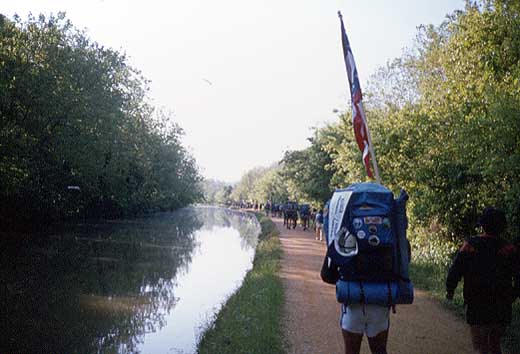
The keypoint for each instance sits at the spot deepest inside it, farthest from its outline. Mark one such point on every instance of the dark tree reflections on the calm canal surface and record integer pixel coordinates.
(102, 287)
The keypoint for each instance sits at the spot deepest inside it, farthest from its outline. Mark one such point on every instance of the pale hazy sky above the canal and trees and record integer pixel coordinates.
(247, 80)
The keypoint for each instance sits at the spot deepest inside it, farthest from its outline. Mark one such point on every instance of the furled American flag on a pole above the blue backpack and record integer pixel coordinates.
(358, 114)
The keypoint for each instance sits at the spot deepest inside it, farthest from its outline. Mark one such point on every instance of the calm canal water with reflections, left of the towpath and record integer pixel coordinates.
(140, 286)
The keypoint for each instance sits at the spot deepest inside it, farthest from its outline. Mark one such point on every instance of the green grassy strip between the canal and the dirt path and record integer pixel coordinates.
(250, 321)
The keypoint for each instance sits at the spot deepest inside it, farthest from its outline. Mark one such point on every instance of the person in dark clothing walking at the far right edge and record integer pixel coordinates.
(490, 266)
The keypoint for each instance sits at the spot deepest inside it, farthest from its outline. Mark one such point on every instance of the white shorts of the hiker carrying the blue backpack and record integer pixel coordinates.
(361, 318)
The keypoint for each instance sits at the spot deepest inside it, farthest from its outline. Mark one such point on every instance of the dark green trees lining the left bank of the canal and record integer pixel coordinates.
(74, 113)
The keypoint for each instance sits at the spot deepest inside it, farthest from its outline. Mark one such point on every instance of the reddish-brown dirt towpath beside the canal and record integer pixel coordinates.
(311, 313)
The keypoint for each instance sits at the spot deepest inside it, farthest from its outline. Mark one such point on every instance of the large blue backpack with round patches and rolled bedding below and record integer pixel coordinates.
(365, 228)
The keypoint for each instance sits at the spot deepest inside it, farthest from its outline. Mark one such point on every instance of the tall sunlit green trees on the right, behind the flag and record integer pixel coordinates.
(445, 120)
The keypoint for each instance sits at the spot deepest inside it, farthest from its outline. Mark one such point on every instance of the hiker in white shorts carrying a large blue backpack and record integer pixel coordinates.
(367, 259)
